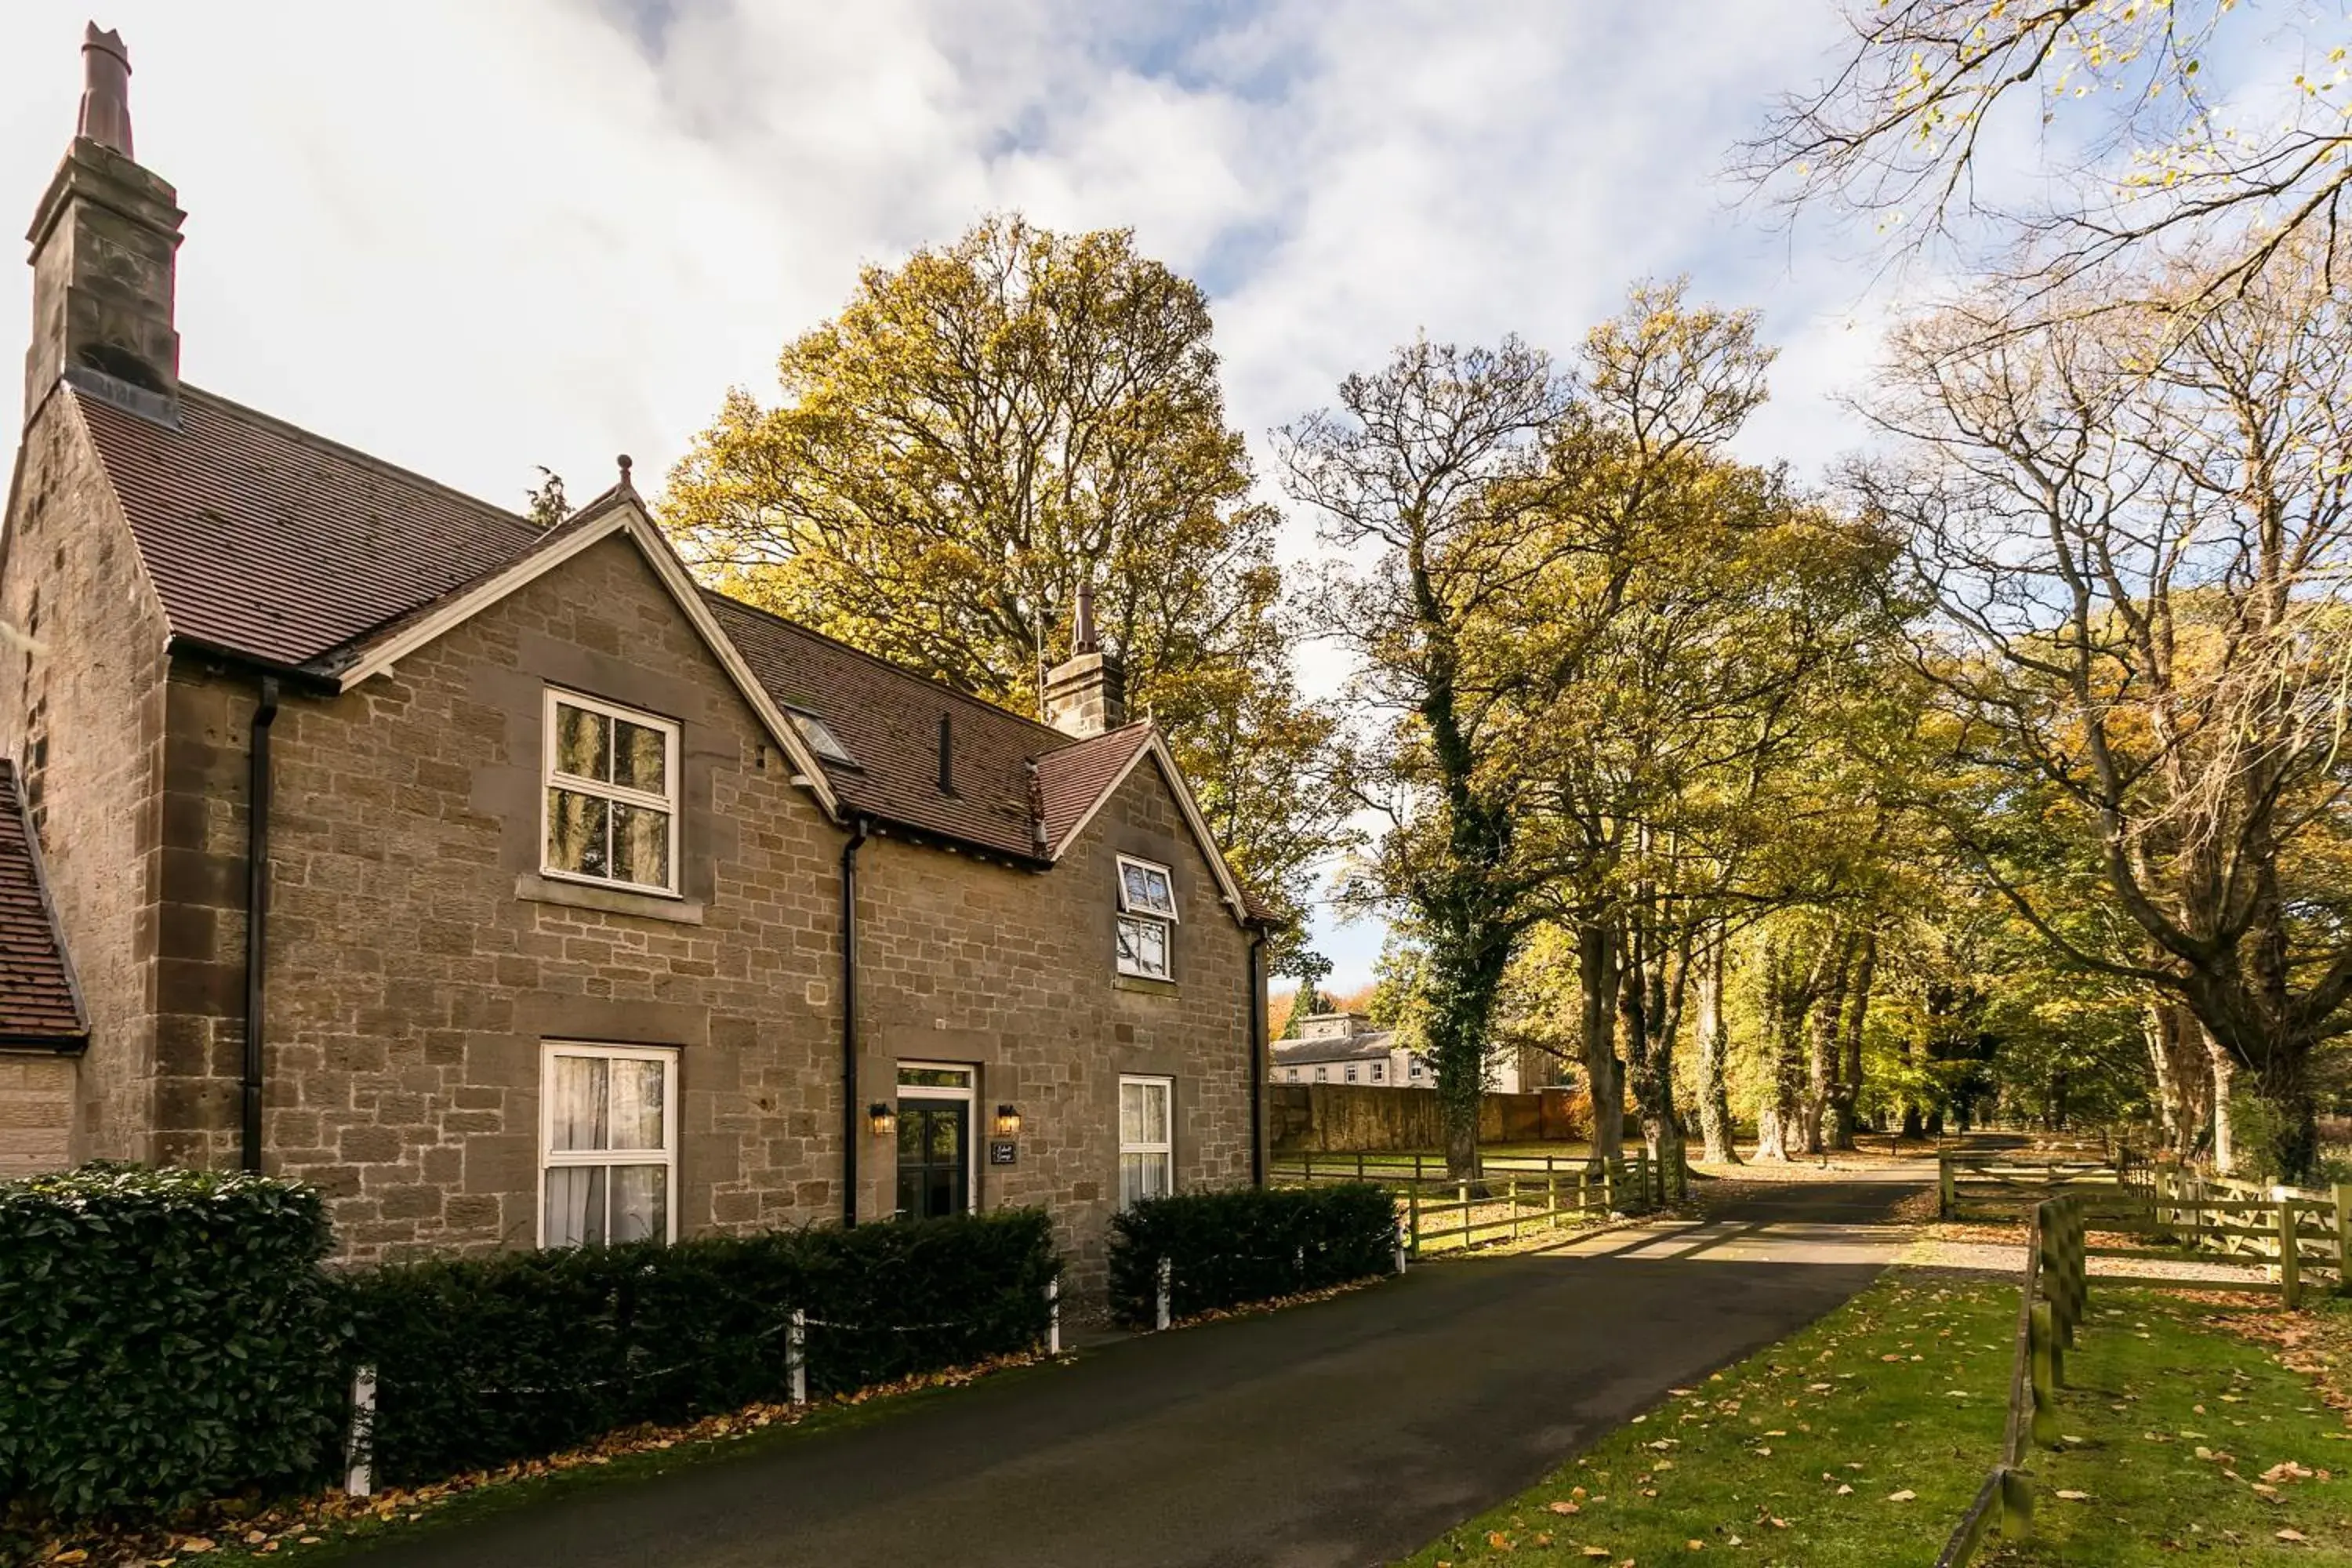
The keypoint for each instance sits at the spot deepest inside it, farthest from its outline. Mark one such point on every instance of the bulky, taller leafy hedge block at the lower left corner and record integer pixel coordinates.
(166, 1336)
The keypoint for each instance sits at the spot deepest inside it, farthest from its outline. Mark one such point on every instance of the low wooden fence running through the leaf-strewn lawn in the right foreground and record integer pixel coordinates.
(2050, 1311)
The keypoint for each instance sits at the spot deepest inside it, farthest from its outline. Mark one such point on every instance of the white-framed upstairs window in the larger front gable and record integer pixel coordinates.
(610, 796)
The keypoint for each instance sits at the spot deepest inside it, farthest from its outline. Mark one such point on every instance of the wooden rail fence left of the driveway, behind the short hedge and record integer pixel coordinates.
(1509, 1200)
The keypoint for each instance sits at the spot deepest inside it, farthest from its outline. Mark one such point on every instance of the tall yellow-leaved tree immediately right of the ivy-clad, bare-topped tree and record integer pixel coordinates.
(1678, 662)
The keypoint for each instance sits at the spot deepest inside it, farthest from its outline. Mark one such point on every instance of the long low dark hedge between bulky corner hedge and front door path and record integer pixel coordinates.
(519, 1355)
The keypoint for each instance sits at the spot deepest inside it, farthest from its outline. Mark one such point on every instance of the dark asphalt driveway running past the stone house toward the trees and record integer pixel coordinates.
(1321, 1438)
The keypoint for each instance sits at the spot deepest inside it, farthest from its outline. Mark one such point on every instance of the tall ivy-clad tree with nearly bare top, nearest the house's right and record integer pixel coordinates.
(1429, 483)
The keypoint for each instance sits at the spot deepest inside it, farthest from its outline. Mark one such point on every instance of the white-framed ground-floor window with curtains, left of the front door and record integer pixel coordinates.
(608, 1144)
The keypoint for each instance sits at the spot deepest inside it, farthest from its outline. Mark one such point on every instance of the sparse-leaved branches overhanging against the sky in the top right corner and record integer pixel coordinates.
(2165, 121)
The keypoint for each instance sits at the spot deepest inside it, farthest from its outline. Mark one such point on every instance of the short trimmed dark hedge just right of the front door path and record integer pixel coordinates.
(1250, 1245)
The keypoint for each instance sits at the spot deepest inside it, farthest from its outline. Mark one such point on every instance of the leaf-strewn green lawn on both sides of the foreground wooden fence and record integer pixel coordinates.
(1859, 1442)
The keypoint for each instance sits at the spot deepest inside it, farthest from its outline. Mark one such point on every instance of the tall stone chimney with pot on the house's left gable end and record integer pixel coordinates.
(105, 243)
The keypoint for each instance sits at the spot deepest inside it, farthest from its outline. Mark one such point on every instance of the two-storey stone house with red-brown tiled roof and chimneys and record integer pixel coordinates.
(514, 887)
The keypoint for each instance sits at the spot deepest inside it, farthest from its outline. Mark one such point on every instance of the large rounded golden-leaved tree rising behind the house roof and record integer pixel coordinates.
(977, 434)
